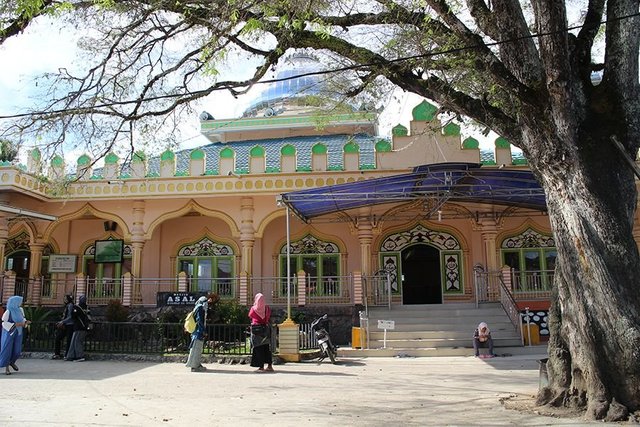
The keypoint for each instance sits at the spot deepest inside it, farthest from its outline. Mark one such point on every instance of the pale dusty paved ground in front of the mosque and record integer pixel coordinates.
(354, 392)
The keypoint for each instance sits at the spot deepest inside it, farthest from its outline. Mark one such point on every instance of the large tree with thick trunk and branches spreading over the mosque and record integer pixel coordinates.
(523, 69)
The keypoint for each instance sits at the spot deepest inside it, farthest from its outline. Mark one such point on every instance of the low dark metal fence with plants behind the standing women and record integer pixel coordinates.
(145, 338)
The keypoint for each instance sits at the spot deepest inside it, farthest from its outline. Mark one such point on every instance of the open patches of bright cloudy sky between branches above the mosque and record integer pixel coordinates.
(45, 47)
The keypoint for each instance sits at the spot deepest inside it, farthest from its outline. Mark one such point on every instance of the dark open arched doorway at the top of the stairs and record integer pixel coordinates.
(421, 281)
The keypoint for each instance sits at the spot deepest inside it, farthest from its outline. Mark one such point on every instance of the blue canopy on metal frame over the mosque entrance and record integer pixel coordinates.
(462, 182)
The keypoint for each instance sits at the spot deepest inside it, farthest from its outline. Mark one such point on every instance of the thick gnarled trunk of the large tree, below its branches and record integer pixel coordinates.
(594, 348)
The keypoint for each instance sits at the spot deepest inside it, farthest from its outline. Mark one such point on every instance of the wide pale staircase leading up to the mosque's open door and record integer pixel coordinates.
(439, 330)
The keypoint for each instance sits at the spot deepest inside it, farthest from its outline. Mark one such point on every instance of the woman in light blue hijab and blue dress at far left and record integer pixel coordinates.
(13, 322)
